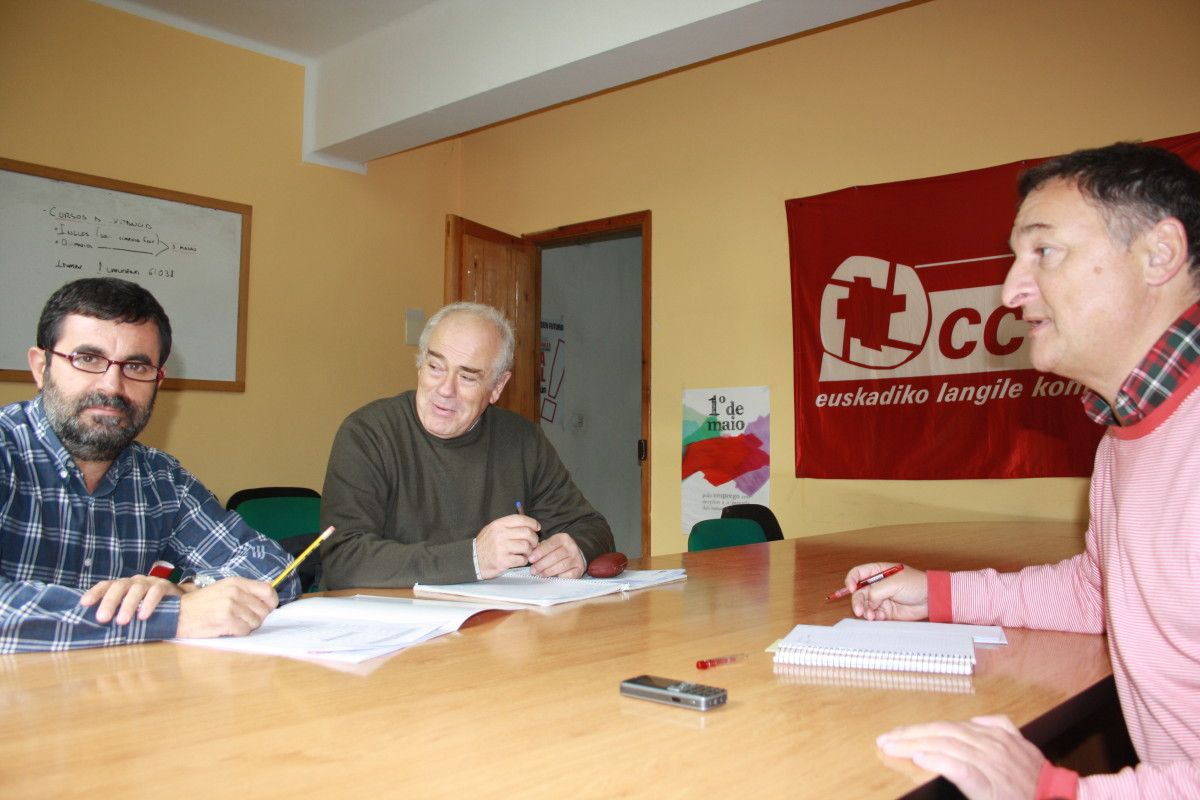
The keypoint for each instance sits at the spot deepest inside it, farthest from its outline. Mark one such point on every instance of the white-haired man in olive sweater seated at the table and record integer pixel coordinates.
(435, 486)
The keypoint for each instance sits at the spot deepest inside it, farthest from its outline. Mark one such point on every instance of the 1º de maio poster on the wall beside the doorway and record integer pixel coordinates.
(727, 450)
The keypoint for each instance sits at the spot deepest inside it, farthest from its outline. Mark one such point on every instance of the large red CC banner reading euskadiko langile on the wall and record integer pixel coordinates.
(908, 364)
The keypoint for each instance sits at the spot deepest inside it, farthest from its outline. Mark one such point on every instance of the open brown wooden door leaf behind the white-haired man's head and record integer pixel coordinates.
(502, 270)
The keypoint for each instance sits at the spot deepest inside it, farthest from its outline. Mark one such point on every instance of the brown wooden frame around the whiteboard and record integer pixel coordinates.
(239, 383)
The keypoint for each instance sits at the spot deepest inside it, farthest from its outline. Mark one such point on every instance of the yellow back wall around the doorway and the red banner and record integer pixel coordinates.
(715, 152)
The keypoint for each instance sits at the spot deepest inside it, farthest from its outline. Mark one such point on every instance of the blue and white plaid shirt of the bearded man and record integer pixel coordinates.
(57, 540)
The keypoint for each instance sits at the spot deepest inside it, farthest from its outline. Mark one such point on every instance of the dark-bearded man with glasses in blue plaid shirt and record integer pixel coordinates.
(86, 512)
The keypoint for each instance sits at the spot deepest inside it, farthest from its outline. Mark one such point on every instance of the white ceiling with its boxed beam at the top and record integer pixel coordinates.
(386, 76)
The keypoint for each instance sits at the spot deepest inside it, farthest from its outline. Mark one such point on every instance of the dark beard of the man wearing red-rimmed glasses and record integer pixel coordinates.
(104, 438)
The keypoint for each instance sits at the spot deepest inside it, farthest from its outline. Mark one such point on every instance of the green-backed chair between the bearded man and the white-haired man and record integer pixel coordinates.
(291, 515)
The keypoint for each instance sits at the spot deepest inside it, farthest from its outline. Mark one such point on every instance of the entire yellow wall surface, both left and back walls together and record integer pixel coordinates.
(713, 152)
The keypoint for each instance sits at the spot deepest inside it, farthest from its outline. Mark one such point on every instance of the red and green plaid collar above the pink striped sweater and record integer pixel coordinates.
(1154, 381)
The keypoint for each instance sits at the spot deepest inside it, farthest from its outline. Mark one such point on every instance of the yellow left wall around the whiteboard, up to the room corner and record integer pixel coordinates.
(335, 257)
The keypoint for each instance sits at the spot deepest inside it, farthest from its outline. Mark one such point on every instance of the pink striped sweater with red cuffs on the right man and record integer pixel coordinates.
(1139, 581)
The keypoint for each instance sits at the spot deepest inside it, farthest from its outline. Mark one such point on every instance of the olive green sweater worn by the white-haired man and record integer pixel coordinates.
(407, 504)
